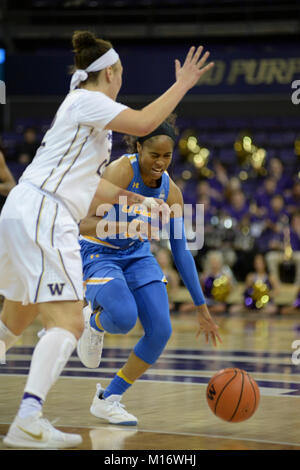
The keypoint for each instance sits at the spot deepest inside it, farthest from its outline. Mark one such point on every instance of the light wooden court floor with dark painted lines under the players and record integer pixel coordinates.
(169, 400)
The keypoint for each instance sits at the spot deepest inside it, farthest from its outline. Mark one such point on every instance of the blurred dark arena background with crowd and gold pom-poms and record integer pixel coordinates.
(238, 148)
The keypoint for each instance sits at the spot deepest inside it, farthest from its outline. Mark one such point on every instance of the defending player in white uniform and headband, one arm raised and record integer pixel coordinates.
(40, 263)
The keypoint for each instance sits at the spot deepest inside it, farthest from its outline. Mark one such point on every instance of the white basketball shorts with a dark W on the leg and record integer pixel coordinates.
(39, 251)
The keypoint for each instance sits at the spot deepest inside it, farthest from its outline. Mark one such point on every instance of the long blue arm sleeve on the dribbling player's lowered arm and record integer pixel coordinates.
(184, 260)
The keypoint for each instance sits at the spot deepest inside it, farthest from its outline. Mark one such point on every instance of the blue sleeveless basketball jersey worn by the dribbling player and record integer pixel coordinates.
(122, 213)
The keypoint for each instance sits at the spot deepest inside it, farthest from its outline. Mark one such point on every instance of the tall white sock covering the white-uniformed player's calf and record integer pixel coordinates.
(50, 356)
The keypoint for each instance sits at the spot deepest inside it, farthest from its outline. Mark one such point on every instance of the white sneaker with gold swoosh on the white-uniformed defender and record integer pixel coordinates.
(37, 433)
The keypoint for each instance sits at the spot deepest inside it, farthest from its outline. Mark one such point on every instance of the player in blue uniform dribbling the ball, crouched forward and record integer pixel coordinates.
(123, 279)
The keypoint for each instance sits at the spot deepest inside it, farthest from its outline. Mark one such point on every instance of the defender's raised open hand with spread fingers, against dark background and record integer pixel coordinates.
(193, 68)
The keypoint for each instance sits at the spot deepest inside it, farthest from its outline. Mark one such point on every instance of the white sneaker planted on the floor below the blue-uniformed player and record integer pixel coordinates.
(111, 409)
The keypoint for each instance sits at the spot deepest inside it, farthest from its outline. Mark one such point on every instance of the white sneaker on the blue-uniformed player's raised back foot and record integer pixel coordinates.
(90, 344)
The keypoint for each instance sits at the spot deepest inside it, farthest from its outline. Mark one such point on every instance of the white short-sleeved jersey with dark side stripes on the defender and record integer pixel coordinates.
(75, 150)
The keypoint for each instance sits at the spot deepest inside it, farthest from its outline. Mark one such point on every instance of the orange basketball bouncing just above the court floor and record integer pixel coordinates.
(232, 395)
